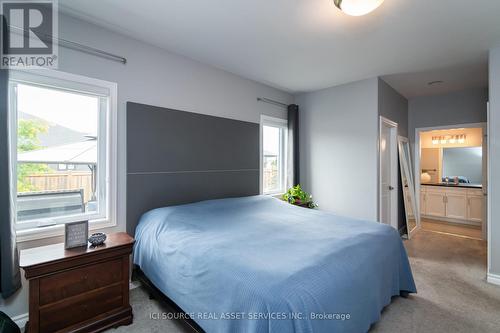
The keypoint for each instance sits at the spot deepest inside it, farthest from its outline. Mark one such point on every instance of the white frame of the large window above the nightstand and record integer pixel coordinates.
(108, 182)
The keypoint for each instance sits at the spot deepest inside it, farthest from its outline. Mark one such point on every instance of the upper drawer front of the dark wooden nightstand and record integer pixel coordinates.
(62, 285)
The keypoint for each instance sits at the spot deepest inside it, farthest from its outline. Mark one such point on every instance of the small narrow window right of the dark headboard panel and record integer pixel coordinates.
(273, 155)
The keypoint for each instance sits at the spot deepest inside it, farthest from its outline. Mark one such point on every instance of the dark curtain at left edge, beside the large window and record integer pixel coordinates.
(10, 277)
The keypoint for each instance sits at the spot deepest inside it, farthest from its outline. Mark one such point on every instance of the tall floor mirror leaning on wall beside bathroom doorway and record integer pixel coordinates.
(408, 185)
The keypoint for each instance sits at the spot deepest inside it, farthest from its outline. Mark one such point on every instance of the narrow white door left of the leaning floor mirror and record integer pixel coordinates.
(388, 173)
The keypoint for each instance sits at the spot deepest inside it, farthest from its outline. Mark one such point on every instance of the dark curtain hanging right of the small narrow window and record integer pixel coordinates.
(293, 177)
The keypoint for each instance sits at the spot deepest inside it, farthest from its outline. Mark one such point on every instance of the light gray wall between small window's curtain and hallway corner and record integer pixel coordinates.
(338, 146)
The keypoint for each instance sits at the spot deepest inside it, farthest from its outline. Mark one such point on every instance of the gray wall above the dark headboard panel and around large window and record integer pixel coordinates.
(156, 77)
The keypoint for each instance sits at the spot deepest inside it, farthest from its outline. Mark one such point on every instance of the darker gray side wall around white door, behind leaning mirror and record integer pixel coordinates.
(394, 106)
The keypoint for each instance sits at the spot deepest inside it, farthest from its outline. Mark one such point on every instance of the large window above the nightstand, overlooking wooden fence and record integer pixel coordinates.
(62, 129)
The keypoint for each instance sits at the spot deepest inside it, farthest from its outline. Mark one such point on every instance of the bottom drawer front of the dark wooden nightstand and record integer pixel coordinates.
(78, 309)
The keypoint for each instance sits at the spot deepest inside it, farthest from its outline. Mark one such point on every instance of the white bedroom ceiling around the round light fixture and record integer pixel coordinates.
(305, 45)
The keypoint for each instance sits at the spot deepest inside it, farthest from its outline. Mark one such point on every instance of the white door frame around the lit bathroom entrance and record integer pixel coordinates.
(416, 159)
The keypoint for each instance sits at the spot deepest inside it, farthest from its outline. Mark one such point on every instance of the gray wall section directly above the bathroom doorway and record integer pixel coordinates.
(462, 107)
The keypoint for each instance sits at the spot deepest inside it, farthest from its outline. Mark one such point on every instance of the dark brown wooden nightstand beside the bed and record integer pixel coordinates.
(79, 290)
